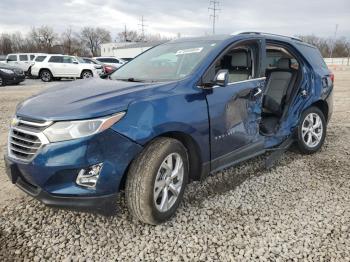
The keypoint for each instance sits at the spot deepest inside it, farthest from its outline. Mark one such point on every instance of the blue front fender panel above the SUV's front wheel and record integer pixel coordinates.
(185, 113)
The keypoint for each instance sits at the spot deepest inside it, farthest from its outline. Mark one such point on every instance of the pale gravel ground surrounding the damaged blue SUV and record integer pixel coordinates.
(298, 210)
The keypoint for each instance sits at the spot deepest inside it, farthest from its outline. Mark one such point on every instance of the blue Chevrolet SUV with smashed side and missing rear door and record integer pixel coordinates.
(176, 113)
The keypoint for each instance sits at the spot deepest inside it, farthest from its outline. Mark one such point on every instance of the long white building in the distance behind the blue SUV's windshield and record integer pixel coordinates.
(127, 49)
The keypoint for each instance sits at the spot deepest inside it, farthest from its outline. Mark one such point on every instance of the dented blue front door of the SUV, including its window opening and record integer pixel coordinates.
(235, 110)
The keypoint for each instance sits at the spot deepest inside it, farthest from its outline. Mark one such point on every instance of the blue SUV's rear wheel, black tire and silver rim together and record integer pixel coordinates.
(312, 130)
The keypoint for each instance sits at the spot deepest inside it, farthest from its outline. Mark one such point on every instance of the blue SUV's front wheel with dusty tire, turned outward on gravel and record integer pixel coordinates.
(149, 178)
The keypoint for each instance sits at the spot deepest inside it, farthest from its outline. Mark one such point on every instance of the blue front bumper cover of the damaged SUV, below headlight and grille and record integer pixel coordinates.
(50, 177)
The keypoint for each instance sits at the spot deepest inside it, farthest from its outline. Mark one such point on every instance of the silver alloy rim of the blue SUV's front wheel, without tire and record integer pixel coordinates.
(168, 182)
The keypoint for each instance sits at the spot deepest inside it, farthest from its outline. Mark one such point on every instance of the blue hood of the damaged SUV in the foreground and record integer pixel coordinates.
(83, 99)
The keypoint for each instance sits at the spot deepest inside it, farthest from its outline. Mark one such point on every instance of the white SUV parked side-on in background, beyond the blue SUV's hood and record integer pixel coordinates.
(50, 67)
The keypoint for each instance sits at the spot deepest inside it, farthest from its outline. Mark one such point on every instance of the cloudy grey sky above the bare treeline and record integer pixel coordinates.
(187, 17)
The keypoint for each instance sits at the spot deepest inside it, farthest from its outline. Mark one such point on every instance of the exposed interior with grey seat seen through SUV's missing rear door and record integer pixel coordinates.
(282, 75)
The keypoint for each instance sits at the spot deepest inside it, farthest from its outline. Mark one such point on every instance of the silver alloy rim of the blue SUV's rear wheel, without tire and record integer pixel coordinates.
(312, 130)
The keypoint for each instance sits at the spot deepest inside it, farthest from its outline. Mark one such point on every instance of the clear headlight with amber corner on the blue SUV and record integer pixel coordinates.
(67, 130)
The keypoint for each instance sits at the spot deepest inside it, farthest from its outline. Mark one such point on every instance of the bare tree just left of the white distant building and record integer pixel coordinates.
(94, 37)
